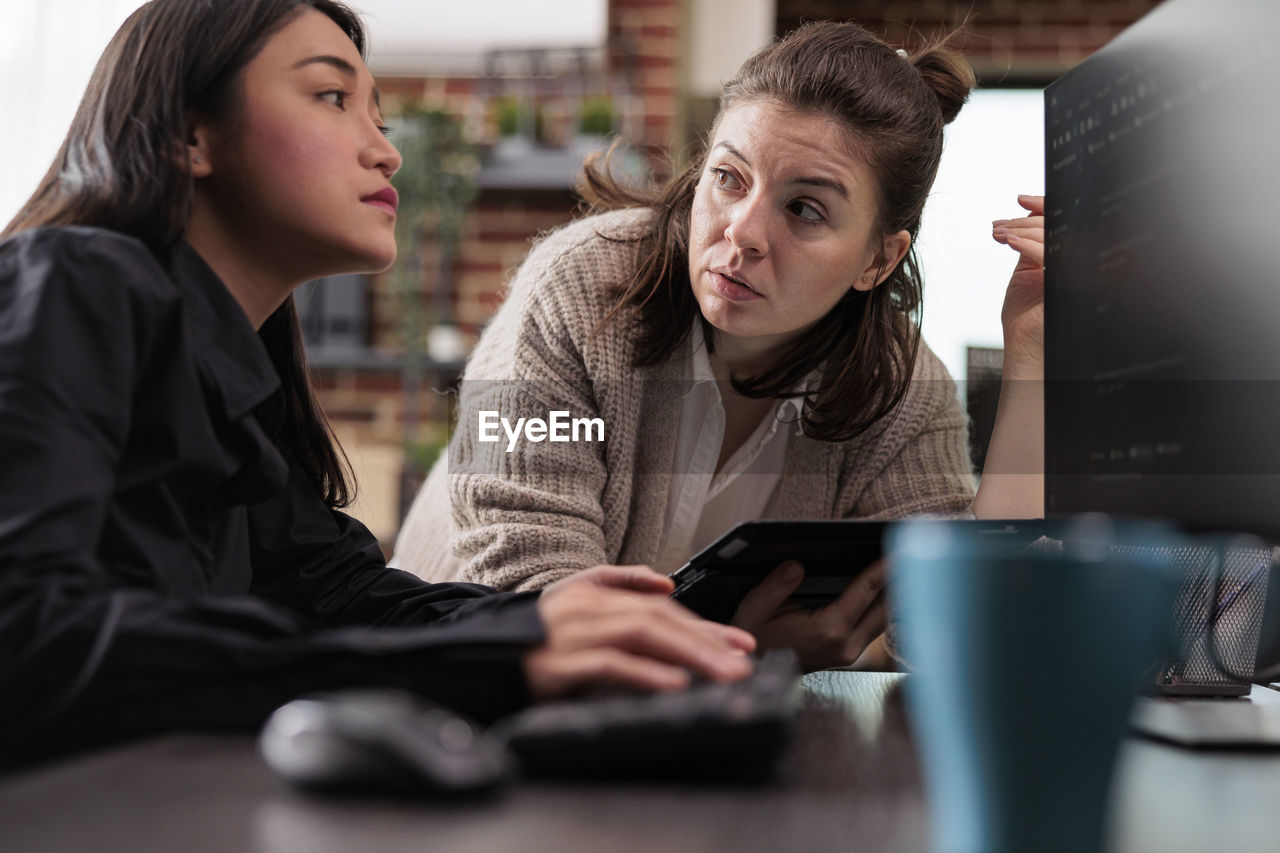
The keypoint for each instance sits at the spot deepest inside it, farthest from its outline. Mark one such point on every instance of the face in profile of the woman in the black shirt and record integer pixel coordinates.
(300, 179)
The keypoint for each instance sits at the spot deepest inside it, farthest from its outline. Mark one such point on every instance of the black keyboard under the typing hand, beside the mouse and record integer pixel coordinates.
(707, 732)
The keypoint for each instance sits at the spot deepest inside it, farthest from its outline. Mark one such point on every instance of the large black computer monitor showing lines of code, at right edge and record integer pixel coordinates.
(1163, 272)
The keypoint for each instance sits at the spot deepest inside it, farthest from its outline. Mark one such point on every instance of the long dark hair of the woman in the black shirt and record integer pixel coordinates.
(121, 166)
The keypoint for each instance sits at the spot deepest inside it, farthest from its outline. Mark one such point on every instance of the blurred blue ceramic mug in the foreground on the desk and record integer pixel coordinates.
(1026, 667)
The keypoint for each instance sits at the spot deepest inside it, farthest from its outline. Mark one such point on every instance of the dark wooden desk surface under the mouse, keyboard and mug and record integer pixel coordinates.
(851, 783)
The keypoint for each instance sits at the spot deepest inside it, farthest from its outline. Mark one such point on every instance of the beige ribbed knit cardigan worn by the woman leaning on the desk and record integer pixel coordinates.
(525, 519)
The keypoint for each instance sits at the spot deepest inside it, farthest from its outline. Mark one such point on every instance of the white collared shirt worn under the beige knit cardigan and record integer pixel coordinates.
(703, 503)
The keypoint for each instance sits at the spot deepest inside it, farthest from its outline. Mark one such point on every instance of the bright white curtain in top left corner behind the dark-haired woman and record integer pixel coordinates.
(48, 52)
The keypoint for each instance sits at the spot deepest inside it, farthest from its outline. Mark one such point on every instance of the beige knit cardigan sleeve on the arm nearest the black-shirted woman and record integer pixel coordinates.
(528, 513)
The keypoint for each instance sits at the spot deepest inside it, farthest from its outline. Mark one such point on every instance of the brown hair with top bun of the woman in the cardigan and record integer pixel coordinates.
(894, 110)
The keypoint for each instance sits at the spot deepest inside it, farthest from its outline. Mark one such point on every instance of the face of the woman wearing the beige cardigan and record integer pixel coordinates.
(783, 225)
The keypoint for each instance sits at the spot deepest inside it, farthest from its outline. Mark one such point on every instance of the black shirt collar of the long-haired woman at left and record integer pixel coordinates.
(230, 353)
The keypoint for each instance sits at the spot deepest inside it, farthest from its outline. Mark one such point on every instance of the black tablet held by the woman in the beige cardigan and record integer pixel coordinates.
(834, 553)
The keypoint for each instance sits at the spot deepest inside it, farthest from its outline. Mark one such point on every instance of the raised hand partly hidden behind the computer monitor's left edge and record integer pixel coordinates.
(1023, 316)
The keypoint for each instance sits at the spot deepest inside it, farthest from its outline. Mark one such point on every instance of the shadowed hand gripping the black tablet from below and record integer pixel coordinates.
(831, 636)
